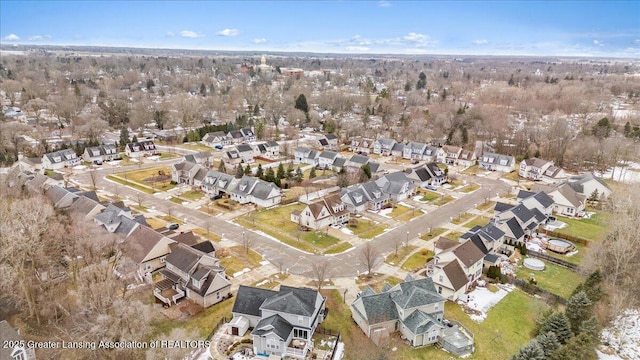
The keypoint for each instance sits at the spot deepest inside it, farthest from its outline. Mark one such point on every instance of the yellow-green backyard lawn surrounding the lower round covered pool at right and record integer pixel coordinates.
(556, 279)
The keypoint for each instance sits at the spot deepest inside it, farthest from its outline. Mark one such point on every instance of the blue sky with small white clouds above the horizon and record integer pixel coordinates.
(582, 28)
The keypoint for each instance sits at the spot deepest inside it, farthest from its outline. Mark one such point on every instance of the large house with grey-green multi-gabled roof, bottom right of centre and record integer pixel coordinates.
(412, 307)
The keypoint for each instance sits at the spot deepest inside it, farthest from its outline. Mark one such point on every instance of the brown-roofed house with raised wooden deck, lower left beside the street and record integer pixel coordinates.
(192, 273)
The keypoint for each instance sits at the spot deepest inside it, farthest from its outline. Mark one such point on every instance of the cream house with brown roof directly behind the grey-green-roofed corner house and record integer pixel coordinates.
(456, 269)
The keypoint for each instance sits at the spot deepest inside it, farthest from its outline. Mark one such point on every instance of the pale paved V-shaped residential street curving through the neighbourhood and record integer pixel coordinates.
(283, 256)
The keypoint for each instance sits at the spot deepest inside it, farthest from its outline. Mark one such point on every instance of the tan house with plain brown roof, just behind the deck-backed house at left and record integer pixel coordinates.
(147, 249)
